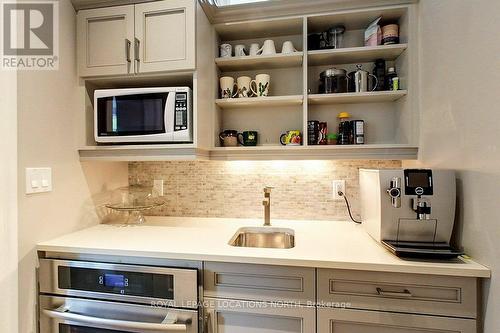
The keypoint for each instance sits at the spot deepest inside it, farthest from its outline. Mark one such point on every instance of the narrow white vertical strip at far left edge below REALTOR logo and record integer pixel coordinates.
(8, 203)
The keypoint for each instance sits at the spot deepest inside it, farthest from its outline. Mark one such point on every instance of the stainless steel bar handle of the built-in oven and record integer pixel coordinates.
(63, 313)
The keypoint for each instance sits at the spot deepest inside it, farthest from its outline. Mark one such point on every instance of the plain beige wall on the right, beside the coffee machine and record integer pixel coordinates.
(460, 124)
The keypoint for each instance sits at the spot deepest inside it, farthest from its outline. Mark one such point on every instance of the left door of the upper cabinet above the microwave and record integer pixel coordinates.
(105, 37)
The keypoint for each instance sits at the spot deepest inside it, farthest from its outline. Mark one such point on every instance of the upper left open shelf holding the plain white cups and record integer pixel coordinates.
(260, 62)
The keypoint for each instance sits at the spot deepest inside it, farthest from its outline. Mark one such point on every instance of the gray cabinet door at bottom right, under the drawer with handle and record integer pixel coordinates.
(349, 321)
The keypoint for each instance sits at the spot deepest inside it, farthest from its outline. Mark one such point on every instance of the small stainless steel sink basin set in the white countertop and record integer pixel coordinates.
(266, 237)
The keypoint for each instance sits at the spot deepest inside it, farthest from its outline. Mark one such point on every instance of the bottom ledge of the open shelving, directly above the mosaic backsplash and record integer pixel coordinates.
(368, 151)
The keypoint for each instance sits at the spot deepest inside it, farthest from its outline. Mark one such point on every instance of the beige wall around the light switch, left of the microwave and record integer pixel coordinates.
(49, 103)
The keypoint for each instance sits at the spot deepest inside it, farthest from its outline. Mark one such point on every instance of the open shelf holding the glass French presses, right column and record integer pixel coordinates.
(352, 98)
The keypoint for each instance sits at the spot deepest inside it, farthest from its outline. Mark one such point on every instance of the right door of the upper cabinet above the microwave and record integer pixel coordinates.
(165, 36)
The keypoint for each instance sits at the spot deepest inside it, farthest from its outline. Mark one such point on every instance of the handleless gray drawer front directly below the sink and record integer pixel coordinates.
(259, 282)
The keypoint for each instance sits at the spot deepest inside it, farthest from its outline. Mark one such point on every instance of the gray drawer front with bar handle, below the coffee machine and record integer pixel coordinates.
(411, 293)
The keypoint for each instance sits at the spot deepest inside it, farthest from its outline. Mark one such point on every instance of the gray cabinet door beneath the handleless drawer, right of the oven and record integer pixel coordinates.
(232, 316)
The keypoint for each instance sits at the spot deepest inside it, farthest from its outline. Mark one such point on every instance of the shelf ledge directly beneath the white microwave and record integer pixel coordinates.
(155, 152)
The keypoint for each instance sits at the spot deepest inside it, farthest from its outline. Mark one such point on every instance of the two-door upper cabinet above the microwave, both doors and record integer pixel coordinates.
(144, 38)
